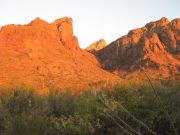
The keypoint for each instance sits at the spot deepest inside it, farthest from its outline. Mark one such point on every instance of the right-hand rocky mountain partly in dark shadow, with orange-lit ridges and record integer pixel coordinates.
(154, 48)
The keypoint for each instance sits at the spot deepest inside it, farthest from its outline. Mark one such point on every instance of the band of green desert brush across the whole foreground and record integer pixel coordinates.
(120, 112)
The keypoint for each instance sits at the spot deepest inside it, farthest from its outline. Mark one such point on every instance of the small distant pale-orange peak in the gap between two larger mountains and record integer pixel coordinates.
(96, 46)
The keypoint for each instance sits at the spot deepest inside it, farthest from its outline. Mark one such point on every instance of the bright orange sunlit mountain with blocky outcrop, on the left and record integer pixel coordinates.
(41, 55)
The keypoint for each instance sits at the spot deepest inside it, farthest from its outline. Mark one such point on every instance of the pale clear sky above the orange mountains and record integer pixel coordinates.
(92, 19)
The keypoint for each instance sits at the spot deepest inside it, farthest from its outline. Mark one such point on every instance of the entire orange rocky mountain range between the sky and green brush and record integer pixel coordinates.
(44, 56)
